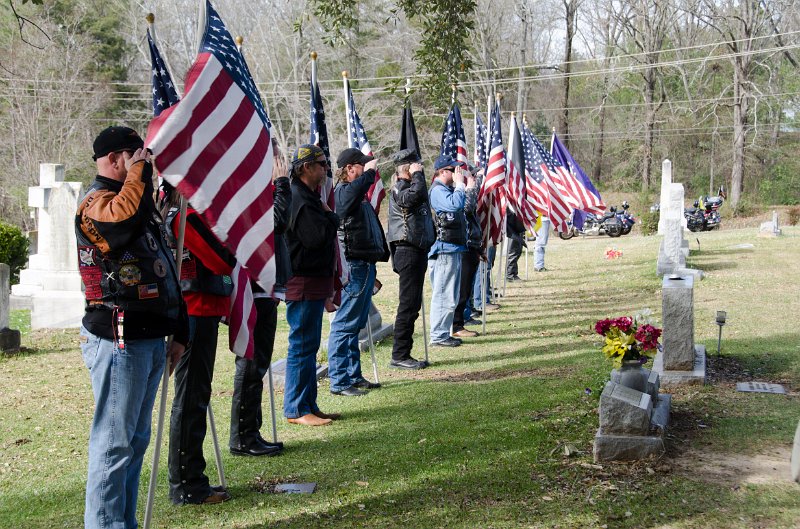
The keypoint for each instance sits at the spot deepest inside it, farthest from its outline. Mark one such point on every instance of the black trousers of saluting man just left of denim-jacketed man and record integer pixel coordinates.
(410, 263)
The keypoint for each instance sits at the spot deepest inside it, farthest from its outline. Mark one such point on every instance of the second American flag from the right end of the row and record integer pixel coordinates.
(543, 194)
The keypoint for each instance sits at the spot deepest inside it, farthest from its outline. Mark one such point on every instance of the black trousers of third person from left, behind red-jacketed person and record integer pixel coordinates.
(248, 381)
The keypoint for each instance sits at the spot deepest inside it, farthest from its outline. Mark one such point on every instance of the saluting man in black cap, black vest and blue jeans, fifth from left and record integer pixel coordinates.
(361, 235)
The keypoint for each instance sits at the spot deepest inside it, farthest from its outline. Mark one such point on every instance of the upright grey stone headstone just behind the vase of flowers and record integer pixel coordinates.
(678, 320)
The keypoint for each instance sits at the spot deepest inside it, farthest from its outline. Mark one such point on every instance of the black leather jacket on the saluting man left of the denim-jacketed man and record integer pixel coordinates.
(410, 213)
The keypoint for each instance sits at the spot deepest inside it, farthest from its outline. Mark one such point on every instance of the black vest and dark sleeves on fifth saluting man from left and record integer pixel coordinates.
(360, 232)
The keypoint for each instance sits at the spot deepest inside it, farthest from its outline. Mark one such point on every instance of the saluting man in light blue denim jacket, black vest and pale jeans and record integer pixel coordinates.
(444, 258)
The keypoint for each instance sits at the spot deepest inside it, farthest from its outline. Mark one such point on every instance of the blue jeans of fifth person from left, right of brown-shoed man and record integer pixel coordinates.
(344, 354)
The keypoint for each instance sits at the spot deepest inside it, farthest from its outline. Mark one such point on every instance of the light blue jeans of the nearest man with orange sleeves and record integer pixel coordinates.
(124, 383)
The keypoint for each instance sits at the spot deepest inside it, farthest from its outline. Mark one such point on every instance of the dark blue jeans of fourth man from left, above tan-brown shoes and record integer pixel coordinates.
(305, 330)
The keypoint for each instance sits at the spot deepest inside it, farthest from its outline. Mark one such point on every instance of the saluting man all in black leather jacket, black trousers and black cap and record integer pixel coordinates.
(410, 236)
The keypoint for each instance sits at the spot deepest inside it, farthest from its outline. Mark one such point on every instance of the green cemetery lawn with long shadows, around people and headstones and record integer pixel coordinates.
(477, 439)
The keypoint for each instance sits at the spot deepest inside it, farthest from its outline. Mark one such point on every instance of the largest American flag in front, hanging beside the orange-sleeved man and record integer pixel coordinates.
(214, 147)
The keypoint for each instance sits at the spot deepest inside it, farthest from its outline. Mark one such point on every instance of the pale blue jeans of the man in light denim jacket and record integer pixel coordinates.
(445, 272)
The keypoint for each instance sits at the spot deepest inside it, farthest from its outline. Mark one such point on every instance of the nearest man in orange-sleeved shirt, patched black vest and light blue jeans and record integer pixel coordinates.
(133, 302)
